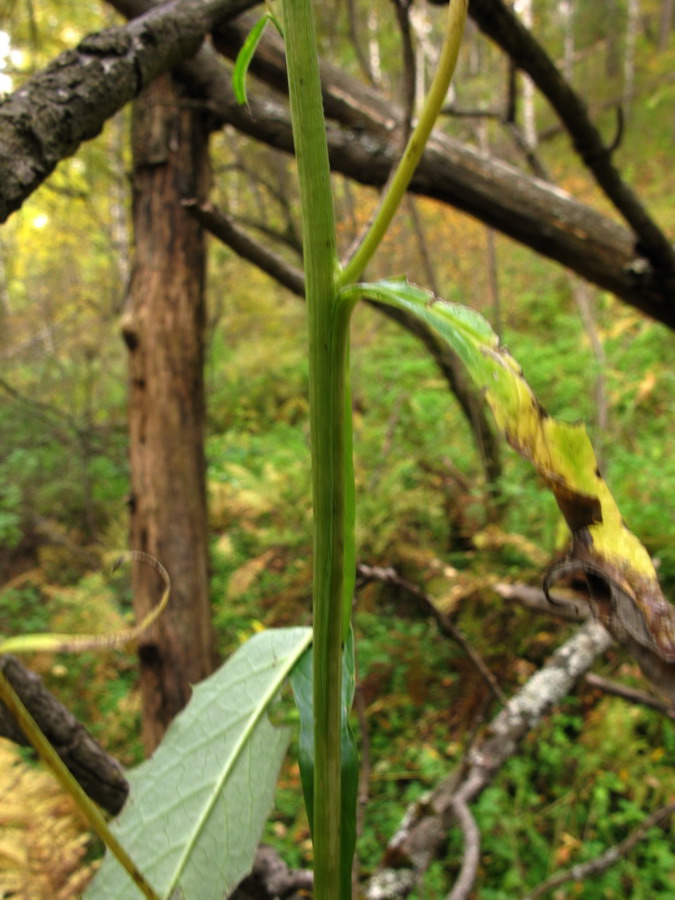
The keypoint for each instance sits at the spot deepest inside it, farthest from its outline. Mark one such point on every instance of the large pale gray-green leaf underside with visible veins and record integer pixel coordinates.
(197, 807)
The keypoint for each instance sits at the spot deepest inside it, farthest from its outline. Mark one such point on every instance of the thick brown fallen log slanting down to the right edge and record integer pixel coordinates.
(536, 214)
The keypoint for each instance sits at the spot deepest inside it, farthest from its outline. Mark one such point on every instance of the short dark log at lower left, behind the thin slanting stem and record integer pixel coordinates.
(99, 775)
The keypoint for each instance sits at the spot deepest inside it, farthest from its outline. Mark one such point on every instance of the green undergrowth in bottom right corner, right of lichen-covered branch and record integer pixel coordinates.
(581, 783)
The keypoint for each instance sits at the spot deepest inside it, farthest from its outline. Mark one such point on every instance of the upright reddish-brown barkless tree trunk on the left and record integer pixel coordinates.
(164, 331)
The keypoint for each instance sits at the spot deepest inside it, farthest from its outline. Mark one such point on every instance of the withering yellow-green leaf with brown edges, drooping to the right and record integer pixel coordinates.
(620, 581)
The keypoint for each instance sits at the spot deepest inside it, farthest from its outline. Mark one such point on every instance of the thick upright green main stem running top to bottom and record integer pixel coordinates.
(330, 422)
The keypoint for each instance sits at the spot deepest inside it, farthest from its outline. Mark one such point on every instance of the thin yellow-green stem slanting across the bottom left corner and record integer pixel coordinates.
(86, 806)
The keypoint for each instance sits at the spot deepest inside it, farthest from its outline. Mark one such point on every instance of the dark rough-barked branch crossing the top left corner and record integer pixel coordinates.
(49, 116)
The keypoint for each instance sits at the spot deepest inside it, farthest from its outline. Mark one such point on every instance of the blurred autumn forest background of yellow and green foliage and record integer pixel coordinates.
(599, 764)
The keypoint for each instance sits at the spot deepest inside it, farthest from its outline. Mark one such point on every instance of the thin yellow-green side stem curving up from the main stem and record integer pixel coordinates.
(415, 146)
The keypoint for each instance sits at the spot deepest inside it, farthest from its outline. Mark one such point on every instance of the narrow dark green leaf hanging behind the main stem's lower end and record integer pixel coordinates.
(301, 682)
